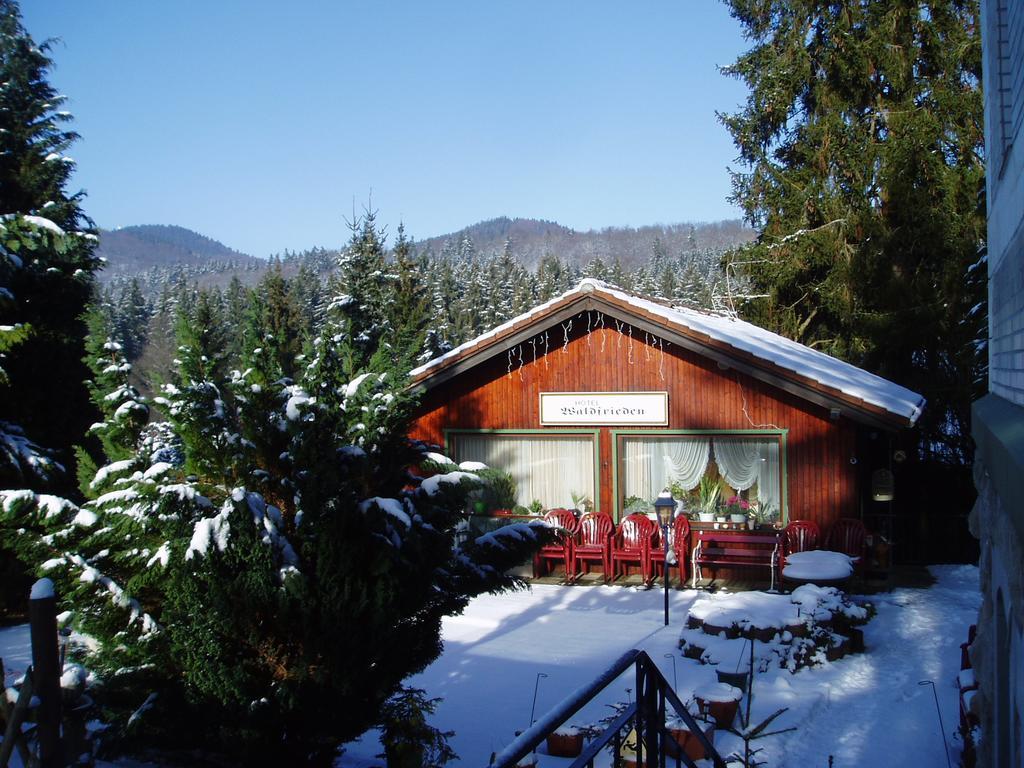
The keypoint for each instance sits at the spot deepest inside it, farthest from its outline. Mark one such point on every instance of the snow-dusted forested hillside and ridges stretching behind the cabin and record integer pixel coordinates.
(459, 286)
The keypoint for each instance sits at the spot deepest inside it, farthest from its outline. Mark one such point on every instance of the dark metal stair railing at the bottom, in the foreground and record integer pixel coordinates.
(656, 701)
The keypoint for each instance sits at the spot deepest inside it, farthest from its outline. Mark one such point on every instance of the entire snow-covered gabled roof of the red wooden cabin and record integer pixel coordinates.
(721, 331)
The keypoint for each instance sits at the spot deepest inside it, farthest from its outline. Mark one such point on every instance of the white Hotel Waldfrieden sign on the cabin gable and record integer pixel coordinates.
(635, 409)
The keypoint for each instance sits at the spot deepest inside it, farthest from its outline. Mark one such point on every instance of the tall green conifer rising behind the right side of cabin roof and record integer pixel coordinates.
(863, 142)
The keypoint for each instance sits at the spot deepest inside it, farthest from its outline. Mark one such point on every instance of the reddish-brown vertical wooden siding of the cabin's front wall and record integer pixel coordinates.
(821, 477)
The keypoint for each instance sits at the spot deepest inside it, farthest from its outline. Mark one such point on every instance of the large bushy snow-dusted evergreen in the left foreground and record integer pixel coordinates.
(223, 571)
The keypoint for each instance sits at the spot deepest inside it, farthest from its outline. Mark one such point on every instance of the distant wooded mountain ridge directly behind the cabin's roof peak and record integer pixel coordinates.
(533, 239)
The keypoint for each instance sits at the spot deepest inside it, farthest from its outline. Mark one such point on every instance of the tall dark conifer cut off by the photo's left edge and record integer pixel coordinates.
(46, 269)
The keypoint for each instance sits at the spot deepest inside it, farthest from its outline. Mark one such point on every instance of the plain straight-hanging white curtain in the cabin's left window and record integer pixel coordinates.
(549, 470)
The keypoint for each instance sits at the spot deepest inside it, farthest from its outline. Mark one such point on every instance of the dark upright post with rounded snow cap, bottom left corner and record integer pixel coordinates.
(44, 626)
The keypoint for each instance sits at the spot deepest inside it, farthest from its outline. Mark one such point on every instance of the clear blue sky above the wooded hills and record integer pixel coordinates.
(263, 124)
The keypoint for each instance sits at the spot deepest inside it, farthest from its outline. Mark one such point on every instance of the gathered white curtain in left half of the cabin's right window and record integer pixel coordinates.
(653, 465)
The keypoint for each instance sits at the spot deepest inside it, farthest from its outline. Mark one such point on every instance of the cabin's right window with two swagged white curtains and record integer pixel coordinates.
(746, 465)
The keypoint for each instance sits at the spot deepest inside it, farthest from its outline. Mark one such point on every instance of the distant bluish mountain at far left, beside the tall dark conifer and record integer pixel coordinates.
(136, 249)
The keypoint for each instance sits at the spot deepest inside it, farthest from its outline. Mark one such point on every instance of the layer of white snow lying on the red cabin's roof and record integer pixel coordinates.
(741, 335)
